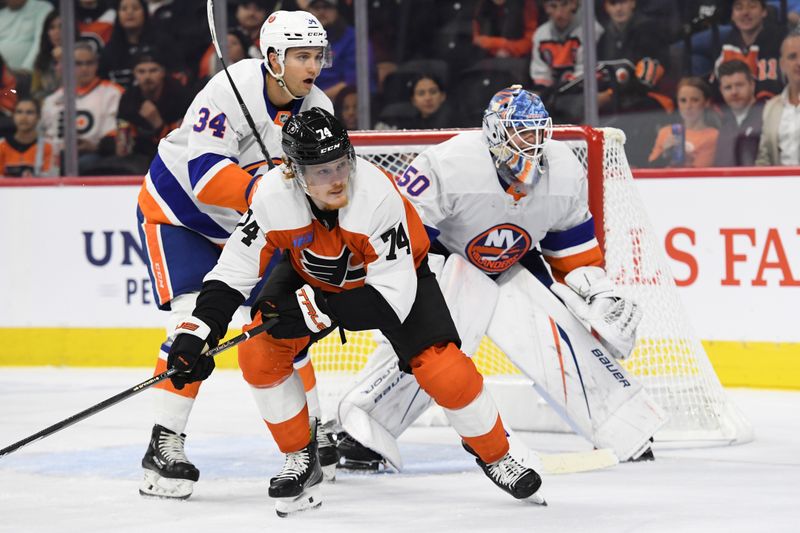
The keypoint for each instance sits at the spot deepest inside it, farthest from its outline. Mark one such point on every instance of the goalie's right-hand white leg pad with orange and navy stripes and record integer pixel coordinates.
(598, 398)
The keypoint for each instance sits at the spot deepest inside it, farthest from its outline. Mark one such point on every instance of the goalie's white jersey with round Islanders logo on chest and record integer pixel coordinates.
(462, 201)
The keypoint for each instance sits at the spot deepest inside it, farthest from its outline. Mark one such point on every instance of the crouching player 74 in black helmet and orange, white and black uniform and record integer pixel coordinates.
(357, 259)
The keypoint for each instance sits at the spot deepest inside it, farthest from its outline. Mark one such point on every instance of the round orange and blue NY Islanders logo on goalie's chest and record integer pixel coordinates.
(499, 247)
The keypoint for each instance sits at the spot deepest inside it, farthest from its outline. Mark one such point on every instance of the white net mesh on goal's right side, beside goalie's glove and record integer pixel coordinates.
(669, 357)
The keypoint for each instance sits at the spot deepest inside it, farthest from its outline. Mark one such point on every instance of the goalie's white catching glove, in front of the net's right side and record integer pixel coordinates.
(591, 296)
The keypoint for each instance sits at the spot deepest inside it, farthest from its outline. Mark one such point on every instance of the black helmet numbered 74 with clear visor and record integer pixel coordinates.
(313, 138)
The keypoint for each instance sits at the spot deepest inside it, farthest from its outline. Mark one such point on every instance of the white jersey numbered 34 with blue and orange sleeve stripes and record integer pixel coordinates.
(196, 179)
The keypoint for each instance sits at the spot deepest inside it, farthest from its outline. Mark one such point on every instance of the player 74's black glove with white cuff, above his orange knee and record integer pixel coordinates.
(300, 313)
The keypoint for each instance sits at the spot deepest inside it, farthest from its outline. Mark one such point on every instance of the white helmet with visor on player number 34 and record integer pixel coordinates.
(291, 29)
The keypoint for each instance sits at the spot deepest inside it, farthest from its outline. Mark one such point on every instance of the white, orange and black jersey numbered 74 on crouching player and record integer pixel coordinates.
(379, 239)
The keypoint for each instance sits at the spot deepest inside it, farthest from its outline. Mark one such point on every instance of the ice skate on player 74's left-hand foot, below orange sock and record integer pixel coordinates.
(297, 486)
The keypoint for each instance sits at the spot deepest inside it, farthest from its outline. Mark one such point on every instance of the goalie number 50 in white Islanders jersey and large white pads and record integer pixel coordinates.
(488, 199)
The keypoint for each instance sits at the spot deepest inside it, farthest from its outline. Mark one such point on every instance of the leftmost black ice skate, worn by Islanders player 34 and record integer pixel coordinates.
(168, 473)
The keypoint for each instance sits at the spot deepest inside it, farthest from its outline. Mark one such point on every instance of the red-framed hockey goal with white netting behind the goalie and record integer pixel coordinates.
(669, 358)
